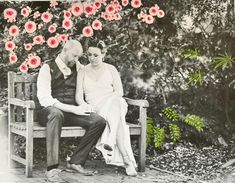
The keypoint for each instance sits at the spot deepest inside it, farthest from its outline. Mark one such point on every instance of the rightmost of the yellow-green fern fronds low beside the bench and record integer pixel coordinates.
(195, 121)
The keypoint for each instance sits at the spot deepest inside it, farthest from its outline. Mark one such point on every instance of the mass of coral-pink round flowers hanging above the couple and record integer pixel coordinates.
(43, 29)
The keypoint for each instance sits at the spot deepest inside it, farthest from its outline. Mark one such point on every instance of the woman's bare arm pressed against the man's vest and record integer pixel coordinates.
(79, 97)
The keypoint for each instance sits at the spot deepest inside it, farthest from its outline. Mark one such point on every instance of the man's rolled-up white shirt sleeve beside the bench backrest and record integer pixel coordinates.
(44, 87)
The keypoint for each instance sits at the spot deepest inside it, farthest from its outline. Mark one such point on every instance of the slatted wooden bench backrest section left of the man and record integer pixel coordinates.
(23, 86)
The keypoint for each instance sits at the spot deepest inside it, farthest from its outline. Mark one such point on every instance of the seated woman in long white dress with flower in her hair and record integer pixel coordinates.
(101, 84)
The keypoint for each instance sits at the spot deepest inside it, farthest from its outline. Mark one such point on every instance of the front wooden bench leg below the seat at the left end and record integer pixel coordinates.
(29, 157)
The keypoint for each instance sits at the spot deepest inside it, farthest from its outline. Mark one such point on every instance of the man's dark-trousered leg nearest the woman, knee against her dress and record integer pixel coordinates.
(94, 125)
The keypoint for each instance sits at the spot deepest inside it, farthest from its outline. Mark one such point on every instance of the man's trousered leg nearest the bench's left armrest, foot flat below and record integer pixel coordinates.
(52, 118)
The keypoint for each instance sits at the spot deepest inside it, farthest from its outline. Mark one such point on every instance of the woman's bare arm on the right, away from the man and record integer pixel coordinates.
(117, 83)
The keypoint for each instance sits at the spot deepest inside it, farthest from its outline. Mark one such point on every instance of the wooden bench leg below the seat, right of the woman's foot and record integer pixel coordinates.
(142, 154)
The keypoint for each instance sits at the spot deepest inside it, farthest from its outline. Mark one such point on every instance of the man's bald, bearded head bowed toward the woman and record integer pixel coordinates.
(72, 50)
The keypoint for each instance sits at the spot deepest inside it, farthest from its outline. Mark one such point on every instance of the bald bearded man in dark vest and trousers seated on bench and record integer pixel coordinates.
(56, 87)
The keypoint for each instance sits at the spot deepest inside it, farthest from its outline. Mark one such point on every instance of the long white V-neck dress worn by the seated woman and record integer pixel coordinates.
(100, 95)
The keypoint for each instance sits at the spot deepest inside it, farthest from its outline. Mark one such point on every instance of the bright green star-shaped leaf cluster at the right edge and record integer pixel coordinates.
(223, 61)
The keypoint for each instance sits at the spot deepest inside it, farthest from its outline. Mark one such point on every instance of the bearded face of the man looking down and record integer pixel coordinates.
(72, 56)
